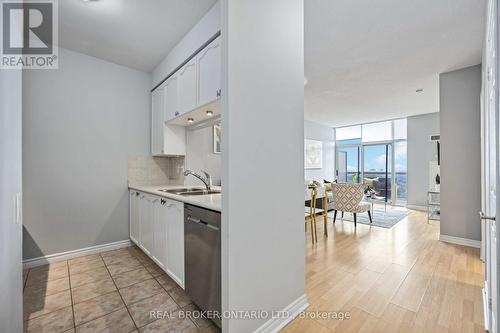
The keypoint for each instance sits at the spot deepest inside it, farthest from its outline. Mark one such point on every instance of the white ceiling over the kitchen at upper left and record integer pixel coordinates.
(133, 33)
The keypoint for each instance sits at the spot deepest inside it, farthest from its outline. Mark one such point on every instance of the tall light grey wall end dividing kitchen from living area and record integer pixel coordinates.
(262, 157)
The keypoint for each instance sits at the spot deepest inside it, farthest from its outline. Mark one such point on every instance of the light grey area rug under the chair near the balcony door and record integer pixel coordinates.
(381, 217)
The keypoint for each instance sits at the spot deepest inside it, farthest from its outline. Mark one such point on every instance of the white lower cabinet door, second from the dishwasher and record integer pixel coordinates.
(159, 254)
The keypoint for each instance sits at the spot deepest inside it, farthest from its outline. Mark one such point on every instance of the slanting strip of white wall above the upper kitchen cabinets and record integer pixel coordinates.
(207, 27)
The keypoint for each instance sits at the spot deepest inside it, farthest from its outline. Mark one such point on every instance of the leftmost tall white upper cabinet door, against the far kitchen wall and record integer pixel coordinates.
(157, 121)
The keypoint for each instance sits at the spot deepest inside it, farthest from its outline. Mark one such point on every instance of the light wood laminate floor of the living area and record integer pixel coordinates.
(391, 280)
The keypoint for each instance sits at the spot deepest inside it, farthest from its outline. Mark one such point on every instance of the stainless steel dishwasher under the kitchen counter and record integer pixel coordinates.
(202, 256)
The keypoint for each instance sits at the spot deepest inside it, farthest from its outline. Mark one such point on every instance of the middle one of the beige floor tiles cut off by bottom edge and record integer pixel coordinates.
(115, 322)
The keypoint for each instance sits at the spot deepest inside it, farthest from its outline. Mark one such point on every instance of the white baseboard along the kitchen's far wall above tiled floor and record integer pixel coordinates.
(29, 263)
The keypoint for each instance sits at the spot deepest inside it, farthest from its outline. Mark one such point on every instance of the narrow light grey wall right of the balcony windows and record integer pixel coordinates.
(420, 152)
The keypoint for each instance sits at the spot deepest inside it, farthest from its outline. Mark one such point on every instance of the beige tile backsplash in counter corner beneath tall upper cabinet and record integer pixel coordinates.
(148, 170)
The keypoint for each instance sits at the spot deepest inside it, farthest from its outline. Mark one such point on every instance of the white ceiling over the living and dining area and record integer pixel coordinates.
(364, 59)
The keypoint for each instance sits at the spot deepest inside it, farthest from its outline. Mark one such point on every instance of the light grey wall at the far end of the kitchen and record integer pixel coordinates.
(81, 123)
